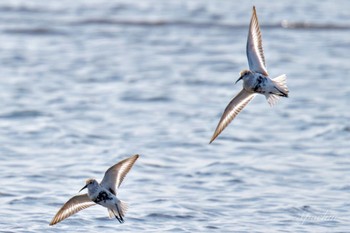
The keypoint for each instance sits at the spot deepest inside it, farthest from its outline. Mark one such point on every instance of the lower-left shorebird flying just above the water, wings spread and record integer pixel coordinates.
(104, 193)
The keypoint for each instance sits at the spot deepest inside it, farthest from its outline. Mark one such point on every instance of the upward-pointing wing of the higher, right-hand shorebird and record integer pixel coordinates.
(255, 53)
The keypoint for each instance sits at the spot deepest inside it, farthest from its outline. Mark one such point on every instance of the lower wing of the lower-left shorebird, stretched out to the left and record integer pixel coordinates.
(71, 207)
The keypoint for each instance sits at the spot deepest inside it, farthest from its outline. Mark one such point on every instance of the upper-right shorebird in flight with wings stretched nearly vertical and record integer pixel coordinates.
(255, 80)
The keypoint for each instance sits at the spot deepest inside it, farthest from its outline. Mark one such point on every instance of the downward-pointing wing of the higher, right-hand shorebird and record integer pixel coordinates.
(232, 110)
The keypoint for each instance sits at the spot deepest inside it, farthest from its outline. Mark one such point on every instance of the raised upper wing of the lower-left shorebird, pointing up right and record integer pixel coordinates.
(114, 176)
